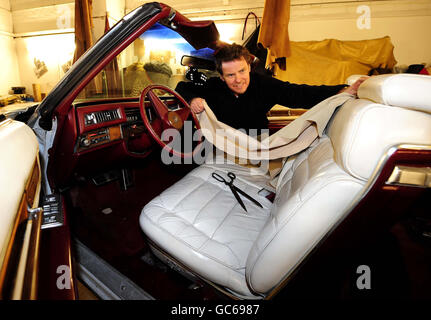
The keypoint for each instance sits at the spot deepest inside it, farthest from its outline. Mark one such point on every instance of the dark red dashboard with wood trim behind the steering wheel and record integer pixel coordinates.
(100, 135)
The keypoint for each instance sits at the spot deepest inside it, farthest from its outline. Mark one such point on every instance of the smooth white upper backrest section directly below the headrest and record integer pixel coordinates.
(362, 131)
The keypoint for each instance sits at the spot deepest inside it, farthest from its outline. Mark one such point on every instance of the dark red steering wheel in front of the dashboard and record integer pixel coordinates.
(169, 118)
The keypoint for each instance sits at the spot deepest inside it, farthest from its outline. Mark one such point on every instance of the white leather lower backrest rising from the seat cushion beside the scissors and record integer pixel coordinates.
(312, 196)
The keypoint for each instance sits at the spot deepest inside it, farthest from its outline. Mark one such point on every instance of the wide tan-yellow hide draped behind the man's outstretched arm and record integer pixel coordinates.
(331, 61)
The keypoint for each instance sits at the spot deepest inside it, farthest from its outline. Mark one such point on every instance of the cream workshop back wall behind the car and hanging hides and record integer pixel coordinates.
(407, 22)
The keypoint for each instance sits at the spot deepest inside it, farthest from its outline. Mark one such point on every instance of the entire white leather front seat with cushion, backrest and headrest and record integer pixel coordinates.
(199, 223)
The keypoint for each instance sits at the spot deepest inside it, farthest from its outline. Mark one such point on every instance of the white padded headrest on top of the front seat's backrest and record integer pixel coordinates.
(405, 90)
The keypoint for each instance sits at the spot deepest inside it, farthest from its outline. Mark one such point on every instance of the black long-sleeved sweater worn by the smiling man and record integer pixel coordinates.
(248, 110)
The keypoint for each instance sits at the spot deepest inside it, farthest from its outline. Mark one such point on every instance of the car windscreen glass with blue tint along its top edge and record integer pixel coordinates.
(153, 58)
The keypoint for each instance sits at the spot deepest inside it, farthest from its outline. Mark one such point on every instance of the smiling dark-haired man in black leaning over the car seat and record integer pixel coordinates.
(242, 99)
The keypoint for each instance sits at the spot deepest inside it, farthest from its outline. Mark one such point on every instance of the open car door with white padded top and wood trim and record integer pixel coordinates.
(19, 194)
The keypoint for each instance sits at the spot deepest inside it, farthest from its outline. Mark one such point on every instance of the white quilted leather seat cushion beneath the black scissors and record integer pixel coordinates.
(199, 222)
